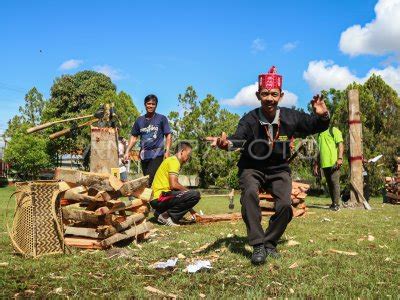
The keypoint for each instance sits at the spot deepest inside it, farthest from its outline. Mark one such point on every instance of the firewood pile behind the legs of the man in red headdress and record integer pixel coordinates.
(267, 201)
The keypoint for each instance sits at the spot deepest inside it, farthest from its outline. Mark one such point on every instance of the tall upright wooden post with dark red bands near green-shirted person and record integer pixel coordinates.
(356, 151)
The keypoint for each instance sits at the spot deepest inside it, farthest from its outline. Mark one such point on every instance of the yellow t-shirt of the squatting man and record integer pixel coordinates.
(171, 165)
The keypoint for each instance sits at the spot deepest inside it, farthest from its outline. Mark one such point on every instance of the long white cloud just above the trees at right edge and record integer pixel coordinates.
(323, 75)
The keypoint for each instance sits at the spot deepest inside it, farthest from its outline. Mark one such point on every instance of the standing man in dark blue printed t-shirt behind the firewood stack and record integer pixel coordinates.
(151, 128)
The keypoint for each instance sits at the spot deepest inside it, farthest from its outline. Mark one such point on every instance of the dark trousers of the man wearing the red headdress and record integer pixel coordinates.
(251, 181)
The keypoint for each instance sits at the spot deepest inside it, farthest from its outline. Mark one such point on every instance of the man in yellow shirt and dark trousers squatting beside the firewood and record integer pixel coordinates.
(171, 199)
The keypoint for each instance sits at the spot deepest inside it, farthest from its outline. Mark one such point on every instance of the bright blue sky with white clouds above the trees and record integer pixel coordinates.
(219, 47)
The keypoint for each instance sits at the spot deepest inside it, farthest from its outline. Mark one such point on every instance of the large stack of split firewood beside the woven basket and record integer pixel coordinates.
(96, 213)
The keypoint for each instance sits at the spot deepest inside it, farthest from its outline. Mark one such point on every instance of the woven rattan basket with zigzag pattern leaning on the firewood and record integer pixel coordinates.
(37, 223)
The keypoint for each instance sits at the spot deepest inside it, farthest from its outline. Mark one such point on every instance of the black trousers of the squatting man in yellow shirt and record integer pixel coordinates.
(178, 205)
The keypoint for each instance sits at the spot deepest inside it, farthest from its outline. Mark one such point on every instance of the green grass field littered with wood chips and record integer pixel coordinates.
(308, 269)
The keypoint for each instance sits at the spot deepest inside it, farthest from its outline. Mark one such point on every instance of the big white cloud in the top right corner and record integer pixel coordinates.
(380, 36)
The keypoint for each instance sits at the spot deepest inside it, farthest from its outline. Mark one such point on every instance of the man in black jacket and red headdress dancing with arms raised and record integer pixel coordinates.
(264, 135)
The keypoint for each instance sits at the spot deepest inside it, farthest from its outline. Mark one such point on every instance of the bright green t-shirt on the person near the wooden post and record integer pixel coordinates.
(327, 144)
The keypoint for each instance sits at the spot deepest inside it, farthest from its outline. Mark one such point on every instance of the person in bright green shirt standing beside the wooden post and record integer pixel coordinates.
(330, 146)
